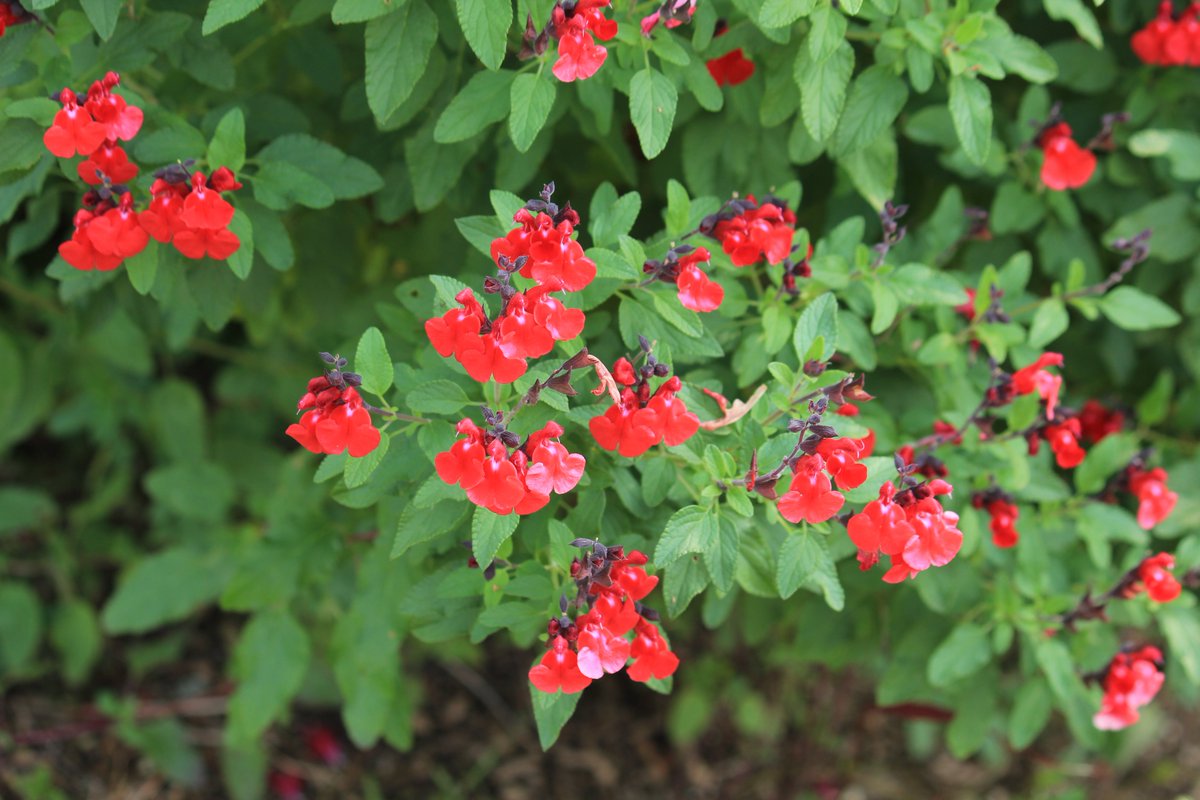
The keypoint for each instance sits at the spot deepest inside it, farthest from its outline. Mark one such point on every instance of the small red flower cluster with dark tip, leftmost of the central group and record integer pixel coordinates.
(335, 418)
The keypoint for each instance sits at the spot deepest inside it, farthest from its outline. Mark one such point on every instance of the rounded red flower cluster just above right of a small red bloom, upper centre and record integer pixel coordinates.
(751, 233)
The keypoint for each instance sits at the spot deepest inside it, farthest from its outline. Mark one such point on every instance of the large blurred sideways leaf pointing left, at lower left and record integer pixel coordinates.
(164, 588)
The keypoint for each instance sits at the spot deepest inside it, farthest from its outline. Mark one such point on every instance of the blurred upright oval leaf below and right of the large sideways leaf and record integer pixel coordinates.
(269, 665)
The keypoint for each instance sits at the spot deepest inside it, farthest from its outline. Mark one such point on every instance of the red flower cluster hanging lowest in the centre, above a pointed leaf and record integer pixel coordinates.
(611, 585)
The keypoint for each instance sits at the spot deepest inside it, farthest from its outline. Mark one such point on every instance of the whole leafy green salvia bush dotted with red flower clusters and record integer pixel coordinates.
(877, 314)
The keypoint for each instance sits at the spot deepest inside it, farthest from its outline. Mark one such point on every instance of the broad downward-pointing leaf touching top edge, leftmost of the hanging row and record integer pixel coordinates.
(398, 51)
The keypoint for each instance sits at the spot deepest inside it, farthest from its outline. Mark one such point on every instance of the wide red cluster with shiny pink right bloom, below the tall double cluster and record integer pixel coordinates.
(505, 483)
